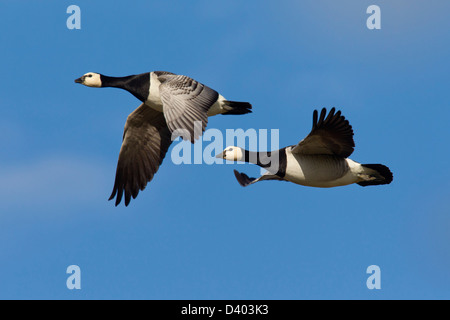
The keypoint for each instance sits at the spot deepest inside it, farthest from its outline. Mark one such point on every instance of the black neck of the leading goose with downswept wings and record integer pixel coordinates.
(137, 85)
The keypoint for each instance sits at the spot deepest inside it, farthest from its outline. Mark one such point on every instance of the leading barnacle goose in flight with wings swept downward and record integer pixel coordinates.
(171, 105)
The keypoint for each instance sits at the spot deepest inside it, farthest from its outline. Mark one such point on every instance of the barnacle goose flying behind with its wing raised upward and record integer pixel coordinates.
(320, 160)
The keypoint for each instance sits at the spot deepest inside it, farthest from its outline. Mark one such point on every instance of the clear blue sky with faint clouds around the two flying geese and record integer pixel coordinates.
(194, 233)
